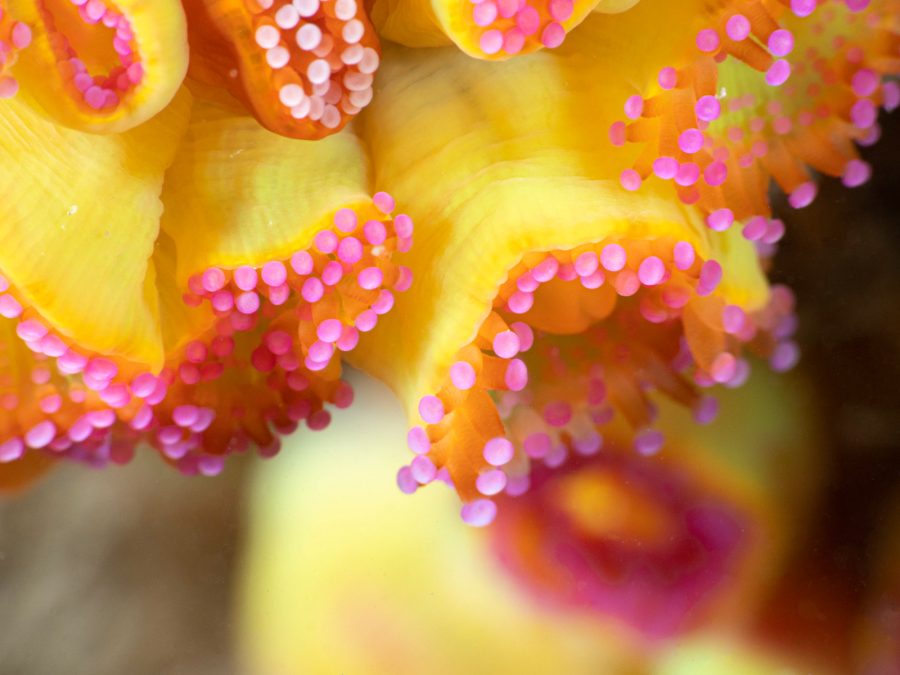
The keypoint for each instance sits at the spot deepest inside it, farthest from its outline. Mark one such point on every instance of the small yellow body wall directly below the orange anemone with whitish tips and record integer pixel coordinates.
(239, 194)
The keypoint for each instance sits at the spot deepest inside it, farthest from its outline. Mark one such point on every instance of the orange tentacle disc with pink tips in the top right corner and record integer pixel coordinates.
(810, 81)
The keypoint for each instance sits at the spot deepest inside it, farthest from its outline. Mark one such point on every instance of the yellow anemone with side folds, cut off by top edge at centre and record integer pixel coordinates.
(487, 29)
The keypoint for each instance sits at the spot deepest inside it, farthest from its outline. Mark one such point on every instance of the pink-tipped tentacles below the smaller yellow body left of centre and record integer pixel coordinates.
(279, 329)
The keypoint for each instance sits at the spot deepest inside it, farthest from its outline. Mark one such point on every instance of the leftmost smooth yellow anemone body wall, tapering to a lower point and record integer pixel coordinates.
(79, 221)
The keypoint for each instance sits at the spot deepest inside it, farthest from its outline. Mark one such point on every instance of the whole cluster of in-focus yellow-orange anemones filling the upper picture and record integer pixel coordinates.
(568, 280)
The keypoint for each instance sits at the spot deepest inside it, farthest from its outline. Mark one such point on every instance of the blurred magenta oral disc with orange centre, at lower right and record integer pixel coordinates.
(638, 541)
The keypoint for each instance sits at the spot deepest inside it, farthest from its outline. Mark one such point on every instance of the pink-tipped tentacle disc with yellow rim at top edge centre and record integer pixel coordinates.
(499, 29)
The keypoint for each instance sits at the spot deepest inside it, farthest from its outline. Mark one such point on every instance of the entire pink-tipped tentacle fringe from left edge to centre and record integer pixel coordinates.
(266, 359)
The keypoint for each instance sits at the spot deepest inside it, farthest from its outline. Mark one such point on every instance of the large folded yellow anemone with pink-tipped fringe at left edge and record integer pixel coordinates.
(192, 283)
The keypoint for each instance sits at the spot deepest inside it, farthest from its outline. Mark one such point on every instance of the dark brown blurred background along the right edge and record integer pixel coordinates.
(841, 255)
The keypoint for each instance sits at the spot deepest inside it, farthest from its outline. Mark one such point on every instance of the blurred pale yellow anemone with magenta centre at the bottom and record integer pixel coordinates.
(359, 605)
